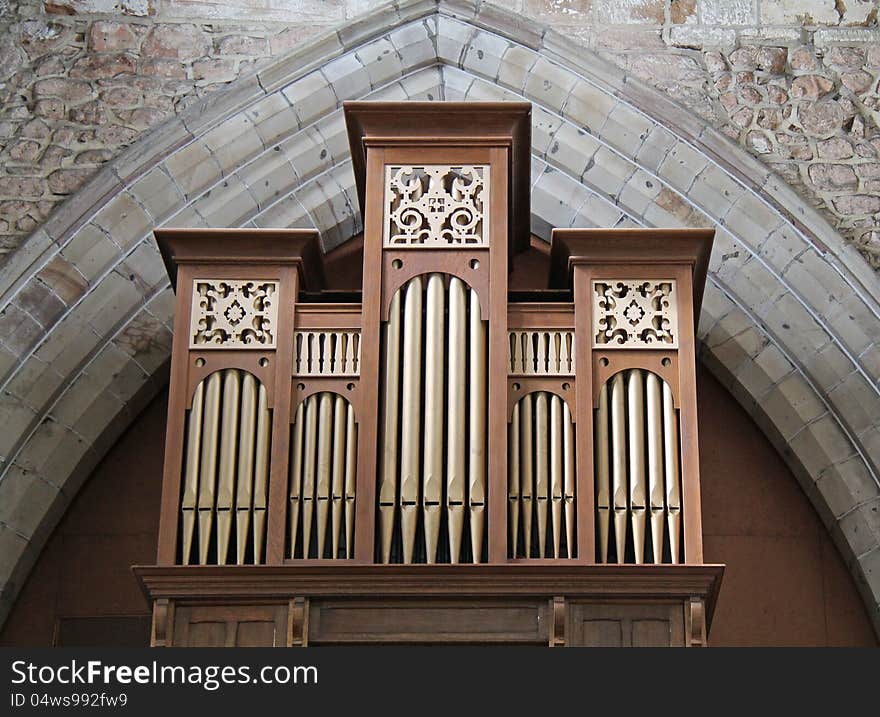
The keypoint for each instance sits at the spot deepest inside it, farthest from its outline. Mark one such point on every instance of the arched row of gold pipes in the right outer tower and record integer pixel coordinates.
(637, 470)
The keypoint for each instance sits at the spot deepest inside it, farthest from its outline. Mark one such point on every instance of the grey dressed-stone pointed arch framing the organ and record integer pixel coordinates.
(790, 316)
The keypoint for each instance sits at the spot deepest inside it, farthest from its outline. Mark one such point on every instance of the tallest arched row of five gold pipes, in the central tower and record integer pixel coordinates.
(432, 477)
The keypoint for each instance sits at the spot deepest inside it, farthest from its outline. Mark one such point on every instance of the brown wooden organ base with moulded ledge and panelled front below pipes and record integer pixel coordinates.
(432, 604)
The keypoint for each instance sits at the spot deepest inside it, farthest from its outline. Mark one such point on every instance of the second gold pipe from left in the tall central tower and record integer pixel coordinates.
(411, 415)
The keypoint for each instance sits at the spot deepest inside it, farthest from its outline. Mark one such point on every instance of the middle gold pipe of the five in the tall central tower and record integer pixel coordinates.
(432, 472)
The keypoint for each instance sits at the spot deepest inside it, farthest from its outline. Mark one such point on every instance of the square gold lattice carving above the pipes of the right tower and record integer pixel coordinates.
(635, 313)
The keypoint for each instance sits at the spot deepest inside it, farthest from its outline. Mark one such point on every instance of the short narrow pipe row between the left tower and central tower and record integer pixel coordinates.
(323, 459)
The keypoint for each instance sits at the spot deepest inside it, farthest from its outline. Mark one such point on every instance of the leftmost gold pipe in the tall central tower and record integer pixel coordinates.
(390, 408)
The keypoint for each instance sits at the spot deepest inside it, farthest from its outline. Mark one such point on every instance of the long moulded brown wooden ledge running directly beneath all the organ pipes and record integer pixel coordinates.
(283, 582)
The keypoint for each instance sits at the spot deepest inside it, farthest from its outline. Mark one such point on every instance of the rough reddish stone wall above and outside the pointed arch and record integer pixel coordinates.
(795, 82)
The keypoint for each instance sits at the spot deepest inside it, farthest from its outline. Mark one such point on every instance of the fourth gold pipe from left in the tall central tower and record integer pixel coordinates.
(456, 440)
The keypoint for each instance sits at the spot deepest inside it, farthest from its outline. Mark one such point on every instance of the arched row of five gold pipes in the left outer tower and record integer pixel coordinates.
(226, 471)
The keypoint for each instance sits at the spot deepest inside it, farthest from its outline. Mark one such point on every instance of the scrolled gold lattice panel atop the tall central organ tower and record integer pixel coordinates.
(436, 205)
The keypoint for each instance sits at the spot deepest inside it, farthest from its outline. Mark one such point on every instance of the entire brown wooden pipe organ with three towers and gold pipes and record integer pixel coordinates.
(438, 459)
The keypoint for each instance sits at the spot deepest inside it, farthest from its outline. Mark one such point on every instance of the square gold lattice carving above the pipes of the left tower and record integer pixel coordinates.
(233, 314)
